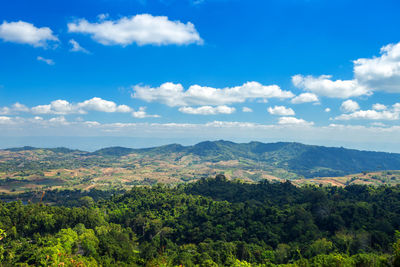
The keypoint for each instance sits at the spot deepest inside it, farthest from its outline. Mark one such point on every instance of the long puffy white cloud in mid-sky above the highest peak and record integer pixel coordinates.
(174, 94)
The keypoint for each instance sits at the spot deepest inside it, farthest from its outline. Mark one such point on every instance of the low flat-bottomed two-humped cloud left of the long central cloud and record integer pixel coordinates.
(64, 107)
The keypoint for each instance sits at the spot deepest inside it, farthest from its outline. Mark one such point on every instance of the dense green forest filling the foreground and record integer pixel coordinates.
(212, 222)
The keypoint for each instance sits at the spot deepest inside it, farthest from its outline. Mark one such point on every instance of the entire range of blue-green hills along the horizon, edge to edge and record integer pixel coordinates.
(304, 160)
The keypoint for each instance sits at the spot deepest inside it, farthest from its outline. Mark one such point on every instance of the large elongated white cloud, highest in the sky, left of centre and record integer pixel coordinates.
(142, 29)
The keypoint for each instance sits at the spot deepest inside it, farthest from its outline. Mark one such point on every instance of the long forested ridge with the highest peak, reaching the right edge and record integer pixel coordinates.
(306, 160)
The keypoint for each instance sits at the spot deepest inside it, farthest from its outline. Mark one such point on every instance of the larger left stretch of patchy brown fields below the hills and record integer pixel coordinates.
(131, 171)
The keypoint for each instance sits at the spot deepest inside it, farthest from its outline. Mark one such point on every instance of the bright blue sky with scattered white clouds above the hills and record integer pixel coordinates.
(137, 73)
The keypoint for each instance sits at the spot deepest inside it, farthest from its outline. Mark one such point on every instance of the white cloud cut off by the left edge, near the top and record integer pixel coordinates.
(26, 33)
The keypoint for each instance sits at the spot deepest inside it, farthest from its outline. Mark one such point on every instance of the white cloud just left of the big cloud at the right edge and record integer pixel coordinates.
(324, 86)
